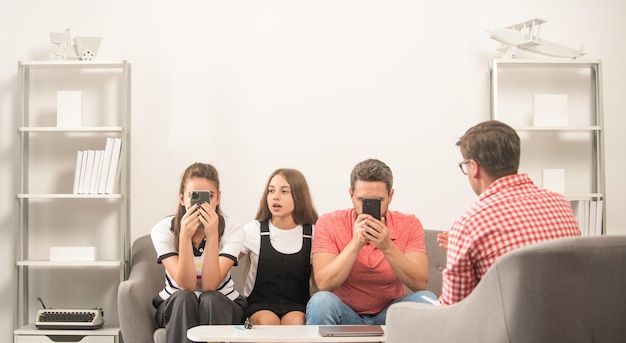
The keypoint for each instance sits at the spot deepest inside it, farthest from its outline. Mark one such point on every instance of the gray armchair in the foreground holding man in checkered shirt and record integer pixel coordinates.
(569, 290)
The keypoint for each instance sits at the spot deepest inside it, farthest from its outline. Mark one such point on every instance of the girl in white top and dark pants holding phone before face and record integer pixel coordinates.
(197, 259)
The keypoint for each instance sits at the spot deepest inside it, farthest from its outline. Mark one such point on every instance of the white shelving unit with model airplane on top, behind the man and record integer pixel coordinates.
(575, 145)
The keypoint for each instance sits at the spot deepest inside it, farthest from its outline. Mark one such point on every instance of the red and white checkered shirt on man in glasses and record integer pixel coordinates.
(511, 213)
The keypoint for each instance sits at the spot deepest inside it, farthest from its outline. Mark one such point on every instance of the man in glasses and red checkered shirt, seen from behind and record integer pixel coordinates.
(510, 212)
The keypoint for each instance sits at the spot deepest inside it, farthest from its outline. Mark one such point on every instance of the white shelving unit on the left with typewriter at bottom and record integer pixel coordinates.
(51, 215)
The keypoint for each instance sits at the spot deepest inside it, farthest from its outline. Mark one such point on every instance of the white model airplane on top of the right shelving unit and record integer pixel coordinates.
(525, 36)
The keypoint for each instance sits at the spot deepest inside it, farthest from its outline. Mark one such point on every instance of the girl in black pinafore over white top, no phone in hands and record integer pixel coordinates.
(278, 243)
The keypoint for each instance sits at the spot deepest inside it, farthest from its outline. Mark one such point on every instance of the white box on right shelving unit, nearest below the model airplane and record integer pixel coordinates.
(550, 110)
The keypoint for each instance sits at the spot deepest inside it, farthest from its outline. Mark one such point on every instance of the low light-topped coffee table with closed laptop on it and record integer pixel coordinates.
(269, 333)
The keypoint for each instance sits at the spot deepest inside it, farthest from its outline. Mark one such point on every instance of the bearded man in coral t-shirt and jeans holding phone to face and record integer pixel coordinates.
(362, 264)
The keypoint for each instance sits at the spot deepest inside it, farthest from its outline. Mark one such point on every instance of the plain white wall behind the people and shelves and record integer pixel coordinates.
(252, 86)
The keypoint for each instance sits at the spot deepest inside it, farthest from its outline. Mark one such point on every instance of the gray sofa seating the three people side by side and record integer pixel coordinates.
(135, 311)
